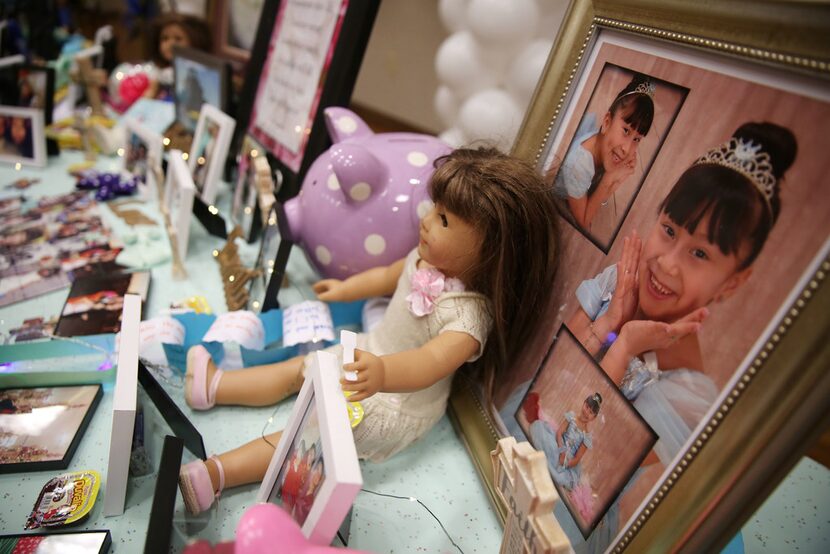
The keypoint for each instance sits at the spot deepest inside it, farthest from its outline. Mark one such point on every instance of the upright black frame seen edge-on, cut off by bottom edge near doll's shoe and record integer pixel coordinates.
(160, 524)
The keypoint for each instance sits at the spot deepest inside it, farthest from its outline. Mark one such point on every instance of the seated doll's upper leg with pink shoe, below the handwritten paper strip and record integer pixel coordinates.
(206, 385)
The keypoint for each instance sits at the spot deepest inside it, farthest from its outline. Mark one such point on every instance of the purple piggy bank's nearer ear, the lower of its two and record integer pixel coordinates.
(358, 171)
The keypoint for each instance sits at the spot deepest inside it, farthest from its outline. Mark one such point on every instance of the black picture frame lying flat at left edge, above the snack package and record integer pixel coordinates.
(79, 430)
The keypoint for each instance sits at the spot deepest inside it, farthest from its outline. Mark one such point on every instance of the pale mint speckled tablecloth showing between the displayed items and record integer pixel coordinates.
(437, 470)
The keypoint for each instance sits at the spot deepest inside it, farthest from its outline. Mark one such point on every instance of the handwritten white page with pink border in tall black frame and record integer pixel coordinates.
(289, 90)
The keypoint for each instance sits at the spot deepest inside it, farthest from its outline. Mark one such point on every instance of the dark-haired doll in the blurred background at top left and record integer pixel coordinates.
(169, 31)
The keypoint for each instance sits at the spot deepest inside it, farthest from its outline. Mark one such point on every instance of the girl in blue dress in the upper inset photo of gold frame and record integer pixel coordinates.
(603, 154)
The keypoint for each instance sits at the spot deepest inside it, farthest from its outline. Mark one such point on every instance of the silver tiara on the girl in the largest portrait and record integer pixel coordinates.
(745, 157)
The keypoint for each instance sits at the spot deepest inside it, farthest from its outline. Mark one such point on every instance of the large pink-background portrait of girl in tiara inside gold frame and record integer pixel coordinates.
(725, 231)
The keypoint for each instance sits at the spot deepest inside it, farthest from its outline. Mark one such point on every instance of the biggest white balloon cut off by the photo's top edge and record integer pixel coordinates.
(502, 21)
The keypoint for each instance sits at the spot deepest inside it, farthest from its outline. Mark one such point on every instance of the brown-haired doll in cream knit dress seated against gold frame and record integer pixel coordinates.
(487, 253)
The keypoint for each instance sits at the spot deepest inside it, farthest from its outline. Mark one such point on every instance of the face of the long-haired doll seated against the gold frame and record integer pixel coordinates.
(448, 242)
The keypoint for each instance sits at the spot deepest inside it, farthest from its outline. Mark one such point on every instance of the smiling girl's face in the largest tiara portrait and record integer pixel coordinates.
(680, 272)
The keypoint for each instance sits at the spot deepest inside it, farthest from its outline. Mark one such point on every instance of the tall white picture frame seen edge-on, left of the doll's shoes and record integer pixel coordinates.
(123, 407)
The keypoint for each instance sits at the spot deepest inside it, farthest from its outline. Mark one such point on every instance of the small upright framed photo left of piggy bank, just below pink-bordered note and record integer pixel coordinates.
(254, 179)
